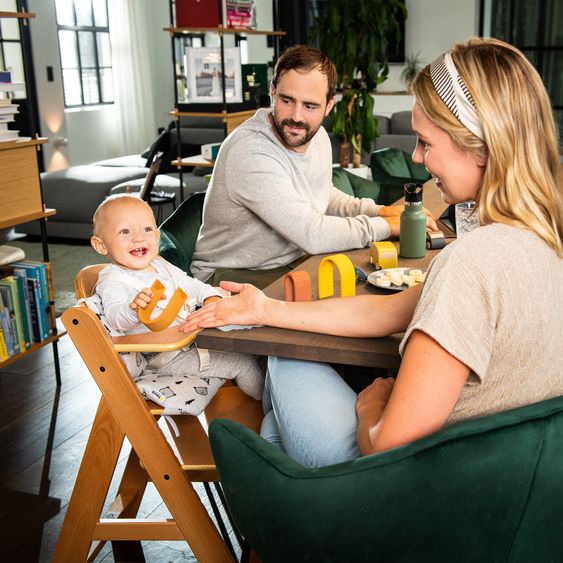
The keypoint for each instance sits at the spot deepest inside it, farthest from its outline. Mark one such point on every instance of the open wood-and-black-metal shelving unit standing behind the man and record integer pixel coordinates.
(232, 114)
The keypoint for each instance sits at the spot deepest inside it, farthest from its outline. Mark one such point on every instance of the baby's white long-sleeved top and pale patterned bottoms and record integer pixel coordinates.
(183, 381)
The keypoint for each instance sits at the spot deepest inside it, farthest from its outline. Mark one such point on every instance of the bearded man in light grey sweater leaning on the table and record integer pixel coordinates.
(271, 200)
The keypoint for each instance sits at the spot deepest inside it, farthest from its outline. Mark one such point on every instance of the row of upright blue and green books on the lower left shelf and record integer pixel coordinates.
(26, 311)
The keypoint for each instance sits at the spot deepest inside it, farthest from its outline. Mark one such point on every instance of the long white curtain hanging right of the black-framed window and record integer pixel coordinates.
(132, 79)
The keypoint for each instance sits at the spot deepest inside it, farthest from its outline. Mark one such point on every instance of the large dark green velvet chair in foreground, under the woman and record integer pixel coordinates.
(486, 490)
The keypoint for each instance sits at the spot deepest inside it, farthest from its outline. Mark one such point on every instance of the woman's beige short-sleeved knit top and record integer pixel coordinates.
(494, 300)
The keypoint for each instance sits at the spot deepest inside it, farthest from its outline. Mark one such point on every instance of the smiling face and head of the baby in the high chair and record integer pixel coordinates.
(128, 235)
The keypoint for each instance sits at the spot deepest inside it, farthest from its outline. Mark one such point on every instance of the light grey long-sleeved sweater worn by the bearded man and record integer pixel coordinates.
(267, 205)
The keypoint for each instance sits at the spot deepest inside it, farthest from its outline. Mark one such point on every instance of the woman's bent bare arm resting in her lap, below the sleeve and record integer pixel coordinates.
(429, 384)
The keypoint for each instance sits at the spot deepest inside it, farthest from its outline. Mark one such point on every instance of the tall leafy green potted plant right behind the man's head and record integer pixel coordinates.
(355, 36)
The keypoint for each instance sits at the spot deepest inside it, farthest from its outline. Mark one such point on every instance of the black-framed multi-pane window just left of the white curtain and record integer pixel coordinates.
(84, 46)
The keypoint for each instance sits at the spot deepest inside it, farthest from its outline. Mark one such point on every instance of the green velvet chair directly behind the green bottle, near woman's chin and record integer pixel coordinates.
(393, 168)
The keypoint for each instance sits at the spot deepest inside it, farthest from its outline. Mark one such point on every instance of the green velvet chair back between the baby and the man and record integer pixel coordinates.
(178, 233)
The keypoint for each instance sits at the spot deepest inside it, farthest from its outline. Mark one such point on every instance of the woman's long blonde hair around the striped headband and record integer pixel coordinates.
(520, 182)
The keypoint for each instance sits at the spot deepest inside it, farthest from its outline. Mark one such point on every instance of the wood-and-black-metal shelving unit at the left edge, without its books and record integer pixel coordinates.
(20, 191)
